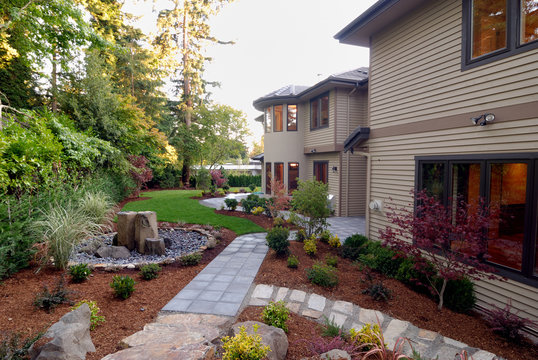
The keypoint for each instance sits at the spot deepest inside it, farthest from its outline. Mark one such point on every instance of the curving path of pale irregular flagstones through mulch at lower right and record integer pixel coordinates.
(430, 344)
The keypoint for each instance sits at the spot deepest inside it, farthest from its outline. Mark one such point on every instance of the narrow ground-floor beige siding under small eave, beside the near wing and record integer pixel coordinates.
(353, 172)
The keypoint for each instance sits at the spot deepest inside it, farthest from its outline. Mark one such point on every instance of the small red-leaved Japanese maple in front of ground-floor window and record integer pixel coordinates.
(453, 240)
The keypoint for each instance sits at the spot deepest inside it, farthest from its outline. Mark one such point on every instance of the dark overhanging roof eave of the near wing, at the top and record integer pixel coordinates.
(374, 19)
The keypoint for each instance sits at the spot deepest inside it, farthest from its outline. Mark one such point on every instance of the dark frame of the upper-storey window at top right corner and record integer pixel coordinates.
(513, 32)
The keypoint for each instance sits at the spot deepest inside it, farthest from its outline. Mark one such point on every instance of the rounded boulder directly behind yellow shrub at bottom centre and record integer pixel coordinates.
(271, 336)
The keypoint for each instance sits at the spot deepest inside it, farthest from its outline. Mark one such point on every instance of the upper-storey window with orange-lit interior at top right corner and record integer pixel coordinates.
(496, 29)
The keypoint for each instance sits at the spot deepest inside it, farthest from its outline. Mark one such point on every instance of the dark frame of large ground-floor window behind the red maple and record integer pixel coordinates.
(526, 275)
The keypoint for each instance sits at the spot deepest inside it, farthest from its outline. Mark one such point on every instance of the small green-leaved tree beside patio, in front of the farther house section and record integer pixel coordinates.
(310, 206)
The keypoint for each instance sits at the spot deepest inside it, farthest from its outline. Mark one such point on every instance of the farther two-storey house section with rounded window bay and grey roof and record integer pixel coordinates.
(305, 129)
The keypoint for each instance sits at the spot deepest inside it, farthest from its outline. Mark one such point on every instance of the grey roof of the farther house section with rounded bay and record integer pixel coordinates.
(355, 77)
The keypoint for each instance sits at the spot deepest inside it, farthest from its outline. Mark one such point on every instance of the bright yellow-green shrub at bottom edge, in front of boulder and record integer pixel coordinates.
(244, 346)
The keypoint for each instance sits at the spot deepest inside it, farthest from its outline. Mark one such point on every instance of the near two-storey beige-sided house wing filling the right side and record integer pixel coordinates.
(453, 108)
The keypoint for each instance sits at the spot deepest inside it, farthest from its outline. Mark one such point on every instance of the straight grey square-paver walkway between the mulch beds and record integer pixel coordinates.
(222, 285)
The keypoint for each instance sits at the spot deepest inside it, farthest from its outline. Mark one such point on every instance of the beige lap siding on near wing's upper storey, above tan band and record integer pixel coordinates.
(416, 72)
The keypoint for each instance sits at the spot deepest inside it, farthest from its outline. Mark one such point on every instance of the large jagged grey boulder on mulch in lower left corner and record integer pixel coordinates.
(70, 338)
